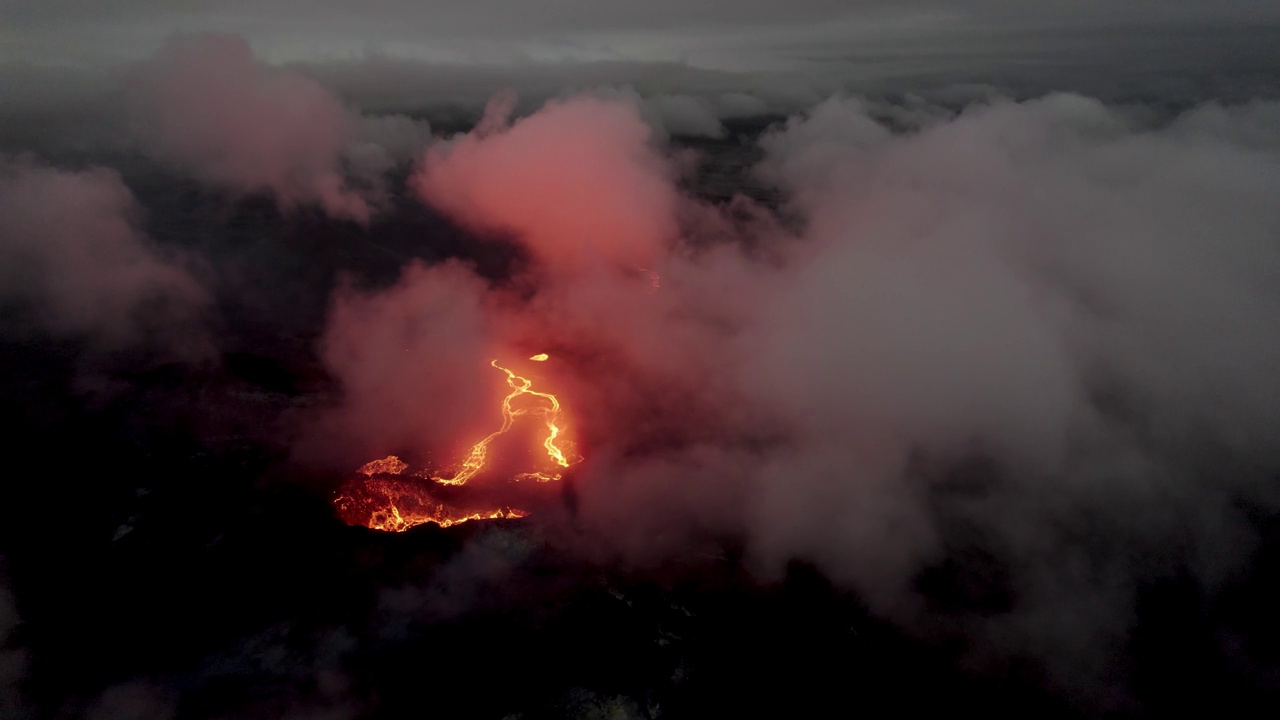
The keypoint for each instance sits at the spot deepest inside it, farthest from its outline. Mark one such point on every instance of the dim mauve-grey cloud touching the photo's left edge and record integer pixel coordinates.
(75, 256)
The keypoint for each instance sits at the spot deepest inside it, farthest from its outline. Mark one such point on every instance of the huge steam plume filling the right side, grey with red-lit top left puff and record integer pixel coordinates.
(986, 332)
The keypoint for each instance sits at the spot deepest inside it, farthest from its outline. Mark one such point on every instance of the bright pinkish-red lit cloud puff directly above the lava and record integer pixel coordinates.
(578, 183)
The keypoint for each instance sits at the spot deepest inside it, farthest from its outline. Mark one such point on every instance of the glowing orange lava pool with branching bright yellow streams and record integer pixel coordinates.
(382, 498)
